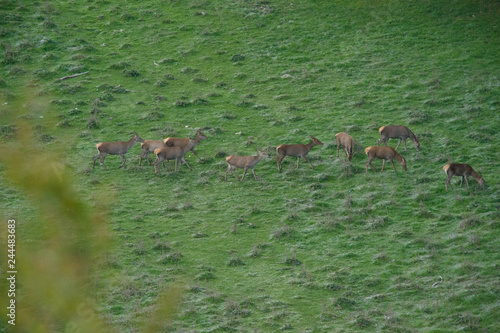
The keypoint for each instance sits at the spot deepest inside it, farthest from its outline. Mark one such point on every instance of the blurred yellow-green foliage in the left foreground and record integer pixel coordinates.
(57, 267)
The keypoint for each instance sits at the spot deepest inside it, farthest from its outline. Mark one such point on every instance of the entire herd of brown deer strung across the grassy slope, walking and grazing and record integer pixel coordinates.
(176, 149)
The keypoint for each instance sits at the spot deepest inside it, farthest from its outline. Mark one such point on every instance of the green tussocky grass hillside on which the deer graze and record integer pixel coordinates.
(329, 249)
